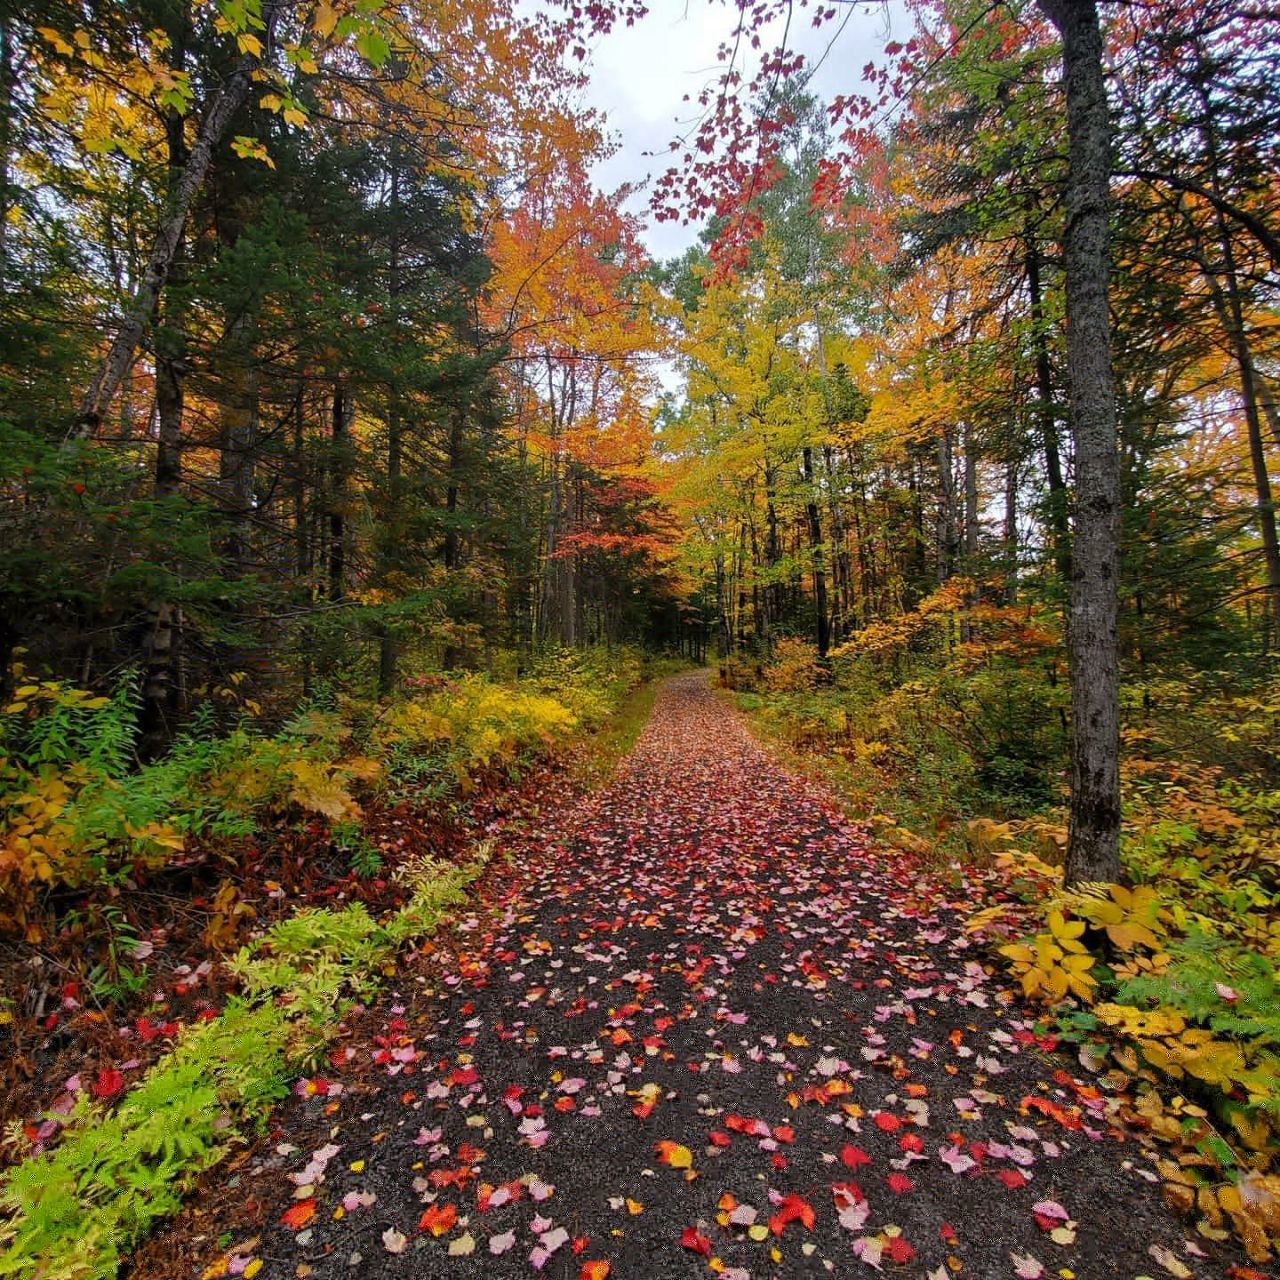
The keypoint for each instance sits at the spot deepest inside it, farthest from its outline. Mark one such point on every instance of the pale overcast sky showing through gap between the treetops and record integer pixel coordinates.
(641, 75)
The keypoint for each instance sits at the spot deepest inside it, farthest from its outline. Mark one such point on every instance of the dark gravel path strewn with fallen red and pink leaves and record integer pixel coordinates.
(700, 1026)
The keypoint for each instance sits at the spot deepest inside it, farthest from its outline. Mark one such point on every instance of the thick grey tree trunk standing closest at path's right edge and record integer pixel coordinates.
(1094, 847)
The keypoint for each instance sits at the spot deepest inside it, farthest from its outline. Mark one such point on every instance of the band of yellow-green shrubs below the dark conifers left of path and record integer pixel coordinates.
(77, 810)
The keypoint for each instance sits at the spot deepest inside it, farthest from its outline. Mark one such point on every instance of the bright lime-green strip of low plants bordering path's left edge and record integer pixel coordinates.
(118, 1172)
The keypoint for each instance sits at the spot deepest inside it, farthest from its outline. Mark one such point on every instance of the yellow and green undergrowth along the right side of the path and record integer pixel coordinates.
(947, 729)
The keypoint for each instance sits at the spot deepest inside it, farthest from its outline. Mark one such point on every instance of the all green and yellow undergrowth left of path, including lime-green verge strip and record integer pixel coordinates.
(81, 813)
